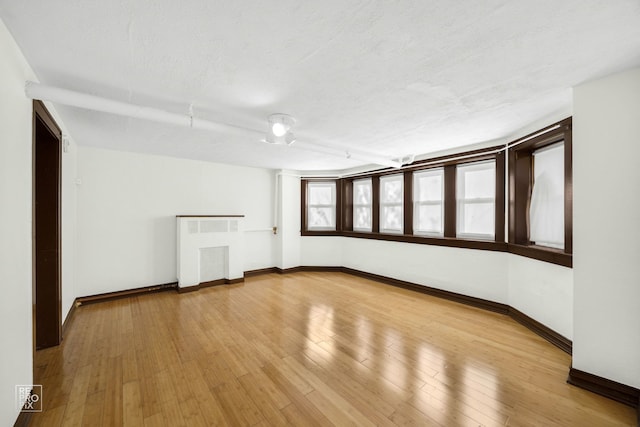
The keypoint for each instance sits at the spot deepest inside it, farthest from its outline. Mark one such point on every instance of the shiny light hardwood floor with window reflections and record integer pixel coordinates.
(308, 349)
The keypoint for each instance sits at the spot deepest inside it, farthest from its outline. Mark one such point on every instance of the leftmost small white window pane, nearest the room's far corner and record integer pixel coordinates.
(321, 205)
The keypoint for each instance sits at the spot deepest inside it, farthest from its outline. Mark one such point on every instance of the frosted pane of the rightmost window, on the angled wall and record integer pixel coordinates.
(546, 212)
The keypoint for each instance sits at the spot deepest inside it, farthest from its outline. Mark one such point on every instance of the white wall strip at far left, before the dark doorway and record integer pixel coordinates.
(16, 363)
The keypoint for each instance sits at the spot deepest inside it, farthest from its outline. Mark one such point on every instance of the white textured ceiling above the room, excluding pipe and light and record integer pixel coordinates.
(389, 78)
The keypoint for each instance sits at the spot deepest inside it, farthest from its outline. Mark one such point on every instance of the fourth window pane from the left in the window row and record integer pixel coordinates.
(428, 206)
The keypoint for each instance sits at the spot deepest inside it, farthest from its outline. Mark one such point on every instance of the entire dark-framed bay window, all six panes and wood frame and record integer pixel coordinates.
(459, 200)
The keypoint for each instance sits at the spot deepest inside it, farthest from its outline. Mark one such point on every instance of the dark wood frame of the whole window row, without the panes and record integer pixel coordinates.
(512, 199)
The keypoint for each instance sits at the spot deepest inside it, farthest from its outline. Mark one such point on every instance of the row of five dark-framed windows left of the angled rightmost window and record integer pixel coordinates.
(454, 200)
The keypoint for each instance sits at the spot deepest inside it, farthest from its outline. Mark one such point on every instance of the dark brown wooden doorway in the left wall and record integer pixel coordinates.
(47, 295)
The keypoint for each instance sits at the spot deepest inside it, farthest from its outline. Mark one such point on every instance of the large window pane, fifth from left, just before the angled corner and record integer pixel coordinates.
(475, 200)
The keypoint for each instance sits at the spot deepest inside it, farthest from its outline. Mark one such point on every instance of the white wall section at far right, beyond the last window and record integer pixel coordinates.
(606, 132)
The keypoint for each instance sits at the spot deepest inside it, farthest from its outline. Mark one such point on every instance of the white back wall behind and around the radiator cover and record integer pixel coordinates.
(126, 208)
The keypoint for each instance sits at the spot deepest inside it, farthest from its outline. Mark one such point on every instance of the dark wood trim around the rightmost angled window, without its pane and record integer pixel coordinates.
(520, 186)
